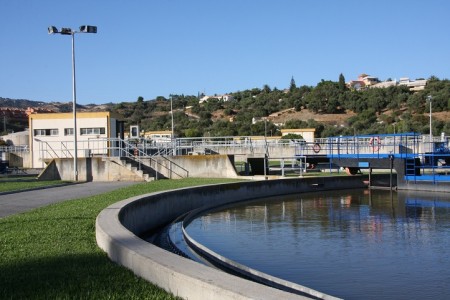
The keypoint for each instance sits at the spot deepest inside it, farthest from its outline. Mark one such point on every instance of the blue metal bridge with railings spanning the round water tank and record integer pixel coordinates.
(416, 157)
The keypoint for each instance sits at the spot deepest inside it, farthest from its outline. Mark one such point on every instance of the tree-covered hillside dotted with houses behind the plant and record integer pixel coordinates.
(329, 108)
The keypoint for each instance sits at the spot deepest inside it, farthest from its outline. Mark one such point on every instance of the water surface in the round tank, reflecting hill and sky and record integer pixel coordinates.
(350, 244)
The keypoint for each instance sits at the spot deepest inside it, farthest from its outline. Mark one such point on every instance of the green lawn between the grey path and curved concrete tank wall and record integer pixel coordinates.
(51, 252)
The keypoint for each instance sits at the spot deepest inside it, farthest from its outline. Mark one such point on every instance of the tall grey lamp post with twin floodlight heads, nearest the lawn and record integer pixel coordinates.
(69, 31)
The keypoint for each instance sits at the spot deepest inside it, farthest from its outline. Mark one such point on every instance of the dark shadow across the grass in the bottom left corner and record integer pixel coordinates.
(90, 276)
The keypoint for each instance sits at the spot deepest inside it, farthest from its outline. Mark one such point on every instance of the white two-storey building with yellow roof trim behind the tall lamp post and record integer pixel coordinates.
(52, 135)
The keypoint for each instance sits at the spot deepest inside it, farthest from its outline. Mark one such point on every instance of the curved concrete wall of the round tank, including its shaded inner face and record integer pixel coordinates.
(118, 228)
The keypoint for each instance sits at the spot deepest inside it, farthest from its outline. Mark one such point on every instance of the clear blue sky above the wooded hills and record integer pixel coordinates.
(156, 48)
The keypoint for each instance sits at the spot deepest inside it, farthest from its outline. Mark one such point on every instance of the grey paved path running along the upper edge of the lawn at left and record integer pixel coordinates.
(24, 201)
